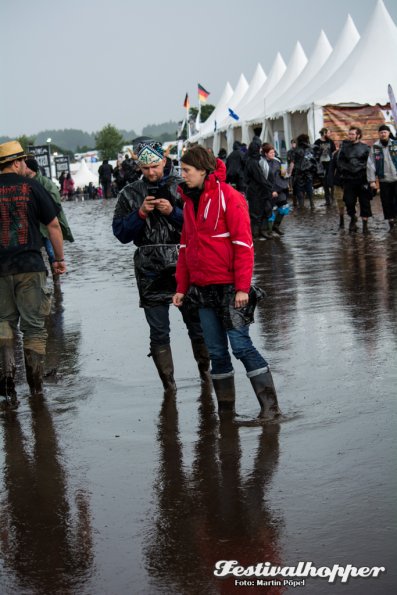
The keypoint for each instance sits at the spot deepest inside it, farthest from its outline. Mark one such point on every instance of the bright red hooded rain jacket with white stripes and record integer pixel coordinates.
(216, 246)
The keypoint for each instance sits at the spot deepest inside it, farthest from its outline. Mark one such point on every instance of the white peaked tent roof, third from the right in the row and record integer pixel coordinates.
(318, 58)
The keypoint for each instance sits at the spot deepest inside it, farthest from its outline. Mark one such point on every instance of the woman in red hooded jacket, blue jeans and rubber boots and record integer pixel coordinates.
(214, 271)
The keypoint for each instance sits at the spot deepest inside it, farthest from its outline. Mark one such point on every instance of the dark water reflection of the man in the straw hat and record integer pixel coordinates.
(44, 549)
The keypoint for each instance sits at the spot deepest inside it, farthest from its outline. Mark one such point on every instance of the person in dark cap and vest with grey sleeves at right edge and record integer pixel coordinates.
(382, 164)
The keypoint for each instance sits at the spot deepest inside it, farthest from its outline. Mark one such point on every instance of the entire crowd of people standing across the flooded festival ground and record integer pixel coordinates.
(194, 233)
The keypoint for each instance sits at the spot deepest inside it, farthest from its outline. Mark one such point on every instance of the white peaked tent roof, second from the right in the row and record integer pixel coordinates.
(343, 47)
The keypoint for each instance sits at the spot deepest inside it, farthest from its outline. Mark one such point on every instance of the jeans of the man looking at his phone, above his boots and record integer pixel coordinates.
(159, 321)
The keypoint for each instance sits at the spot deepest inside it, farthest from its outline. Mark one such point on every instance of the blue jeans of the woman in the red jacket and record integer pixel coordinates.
(216, 338)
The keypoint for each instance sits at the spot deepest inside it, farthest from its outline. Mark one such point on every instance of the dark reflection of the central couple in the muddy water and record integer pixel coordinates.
(215, 512)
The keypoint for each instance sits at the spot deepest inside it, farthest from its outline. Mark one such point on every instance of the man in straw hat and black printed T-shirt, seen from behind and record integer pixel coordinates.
(24, 296)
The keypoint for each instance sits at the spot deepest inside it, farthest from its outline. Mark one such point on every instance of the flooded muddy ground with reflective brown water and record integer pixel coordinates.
(106, 489)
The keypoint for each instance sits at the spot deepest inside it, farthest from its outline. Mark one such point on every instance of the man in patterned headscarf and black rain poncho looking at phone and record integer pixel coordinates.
(149, 213)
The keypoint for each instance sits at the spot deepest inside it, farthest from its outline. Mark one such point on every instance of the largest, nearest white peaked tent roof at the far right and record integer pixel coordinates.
(362, 78)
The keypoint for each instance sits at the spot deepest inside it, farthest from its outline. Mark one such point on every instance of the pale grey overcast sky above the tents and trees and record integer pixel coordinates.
(85, 63)
